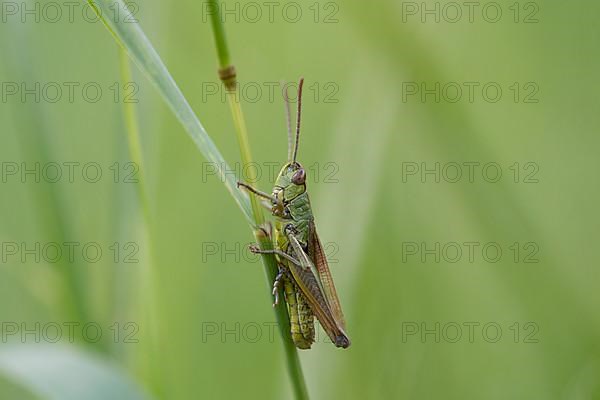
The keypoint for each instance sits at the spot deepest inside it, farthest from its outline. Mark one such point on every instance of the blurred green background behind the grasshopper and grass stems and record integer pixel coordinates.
(181, 321)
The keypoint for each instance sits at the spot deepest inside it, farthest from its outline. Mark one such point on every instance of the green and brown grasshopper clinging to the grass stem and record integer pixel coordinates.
(303, 271)
